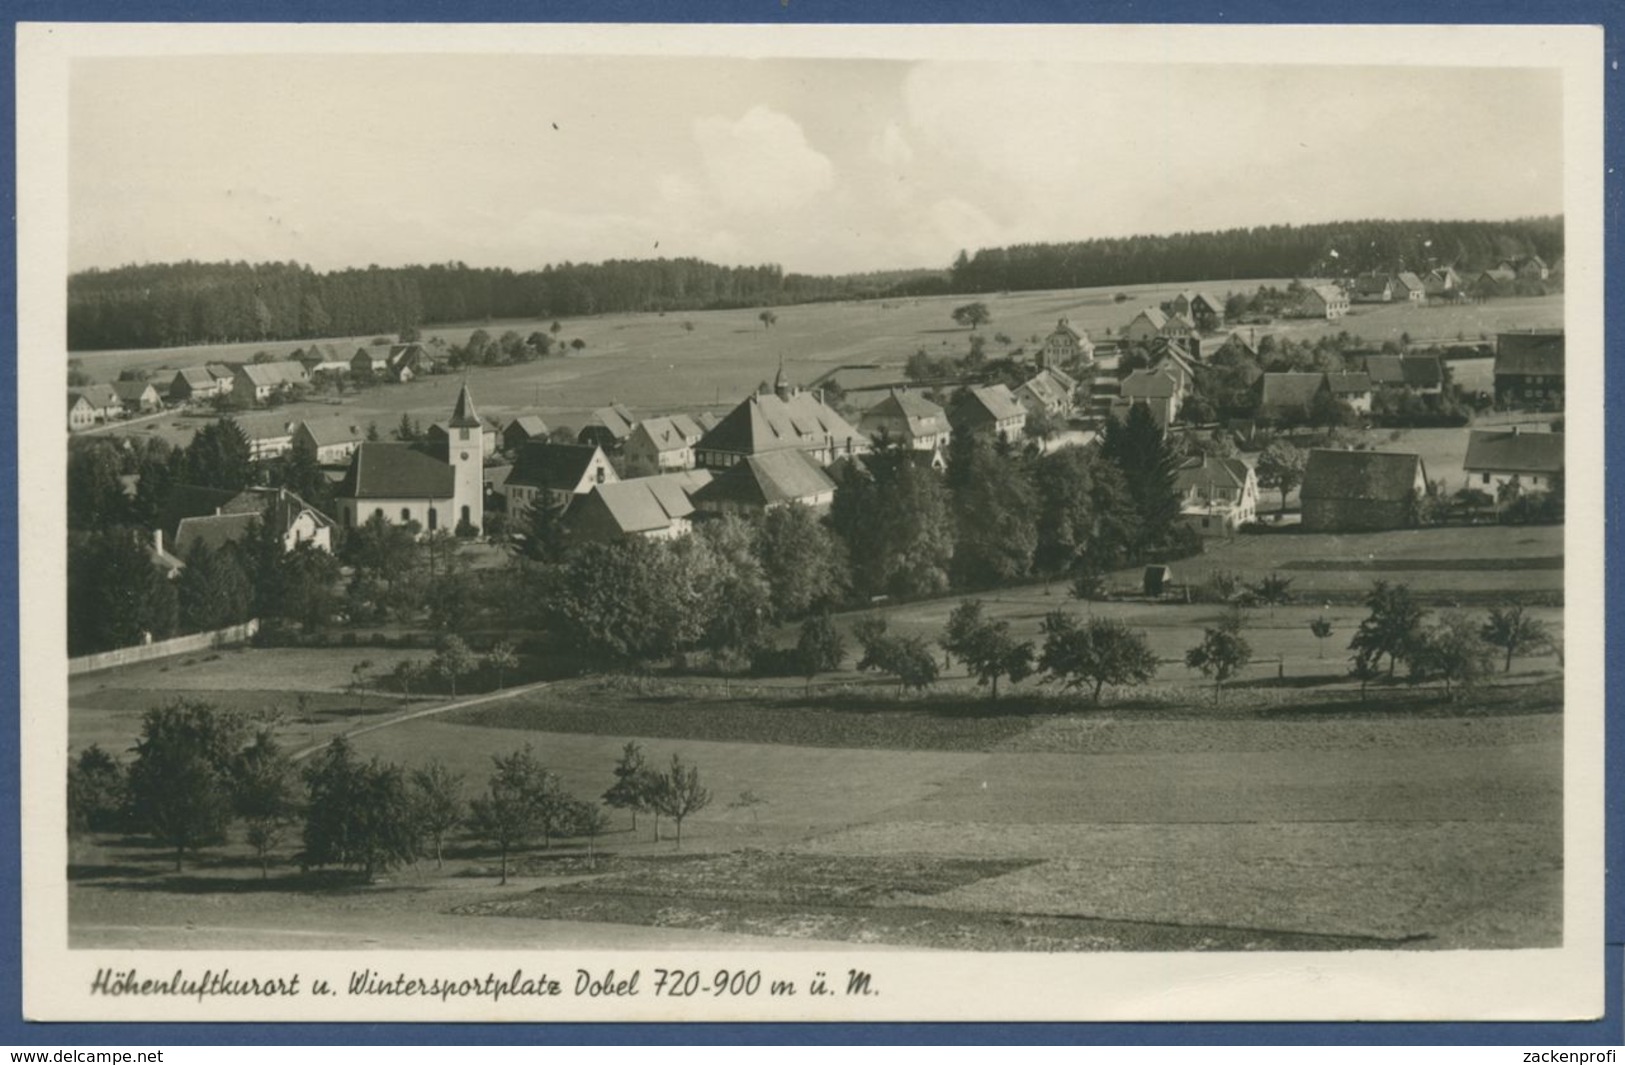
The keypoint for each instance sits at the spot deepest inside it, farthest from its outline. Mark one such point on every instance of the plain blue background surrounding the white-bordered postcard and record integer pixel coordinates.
(1606, 1032)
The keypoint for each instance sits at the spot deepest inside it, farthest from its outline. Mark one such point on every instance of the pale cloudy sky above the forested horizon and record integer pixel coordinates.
(818, 165)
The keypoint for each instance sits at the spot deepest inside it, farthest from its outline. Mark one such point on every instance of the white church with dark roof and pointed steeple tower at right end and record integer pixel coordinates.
(404, 485)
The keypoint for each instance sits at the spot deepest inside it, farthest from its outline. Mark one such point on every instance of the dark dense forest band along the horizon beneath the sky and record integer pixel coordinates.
(189, 303)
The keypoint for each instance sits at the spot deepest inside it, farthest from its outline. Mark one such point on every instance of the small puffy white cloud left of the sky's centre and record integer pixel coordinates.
(763, 162)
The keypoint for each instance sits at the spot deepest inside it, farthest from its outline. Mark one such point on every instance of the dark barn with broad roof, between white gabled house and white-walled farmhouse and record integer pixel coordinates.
(1363, 490)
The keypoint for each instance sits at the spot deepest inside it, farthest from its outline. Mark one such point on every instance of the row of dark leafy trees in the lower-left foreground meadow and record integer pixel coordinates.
(201, 773)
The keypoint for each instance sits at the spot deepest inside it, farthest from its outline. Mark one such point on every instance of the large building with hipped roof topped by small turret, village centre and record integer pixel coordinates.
(779, 420)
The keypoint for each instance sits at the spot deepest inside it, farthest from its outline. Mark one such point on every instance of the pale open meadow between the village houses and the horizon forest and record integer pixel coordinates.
(654, 365)
